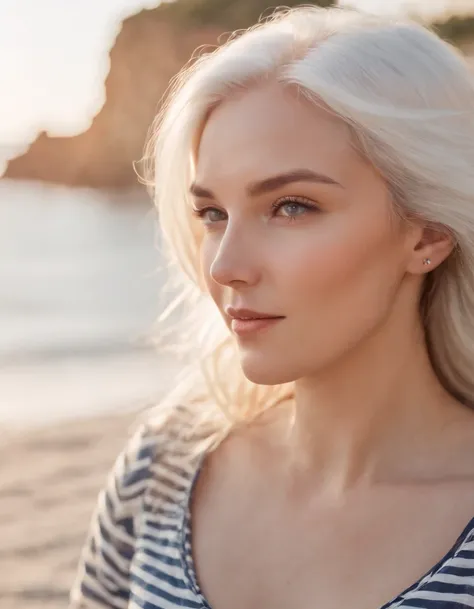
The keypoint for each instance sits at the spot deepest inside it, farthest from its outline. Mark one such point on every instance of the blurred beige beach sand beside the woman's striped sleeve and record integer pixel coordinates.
(49, 481)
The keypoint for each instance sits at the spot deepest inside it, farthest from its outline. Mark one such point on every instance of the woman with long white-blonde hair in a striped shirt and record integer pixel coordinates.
(314, 178)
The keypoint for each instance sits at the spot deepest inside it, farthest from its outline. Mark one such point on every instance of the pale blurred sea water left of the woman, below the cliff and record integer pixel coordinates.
(81, 285)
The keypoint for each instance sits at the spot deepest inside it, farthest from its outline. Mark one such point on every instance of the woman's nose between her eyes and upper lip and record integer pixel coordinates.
(236, 260)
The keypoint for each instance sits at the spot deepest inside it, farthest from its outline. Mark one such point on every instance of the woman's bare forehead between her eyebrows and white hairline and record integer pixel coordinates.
(272, 129)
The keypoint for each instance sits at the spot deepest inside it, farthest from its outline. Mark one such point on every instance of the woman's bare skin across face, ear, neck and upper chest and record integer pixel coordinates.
(349, 495)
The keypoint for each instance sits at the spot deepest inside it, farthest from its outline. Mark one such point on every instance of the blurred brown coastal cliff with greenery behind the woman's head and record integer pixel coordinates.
(150, 49)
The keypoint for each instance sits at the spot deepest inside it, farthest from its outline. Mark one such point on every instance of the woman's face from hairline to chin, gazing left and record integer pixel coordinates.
(296, 226)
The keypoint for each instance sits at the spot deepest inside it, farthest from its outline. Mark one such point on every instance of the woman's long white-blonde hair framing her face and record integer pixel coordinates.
(408, 98)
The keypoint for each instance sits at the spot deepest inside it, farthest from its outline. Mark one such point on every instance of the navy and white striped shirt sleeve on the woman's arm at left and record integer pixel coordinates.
(103, 577)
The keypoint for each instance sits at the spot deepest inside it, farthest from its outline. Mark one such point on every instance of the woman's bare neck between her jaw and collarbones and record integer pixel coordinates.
(372, 415)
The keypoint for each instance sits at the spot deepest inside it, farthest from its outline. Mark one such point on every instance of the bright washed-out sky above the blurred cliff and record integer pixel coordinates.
(54, 59)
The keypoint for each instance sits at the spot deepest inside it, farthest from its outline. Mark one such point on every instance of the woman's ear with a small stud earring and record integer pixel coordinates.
(432, 248)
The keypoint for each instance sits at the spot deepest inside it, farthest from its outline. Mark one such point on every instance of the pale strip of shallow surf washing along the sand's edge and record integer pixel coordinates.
(44, 393)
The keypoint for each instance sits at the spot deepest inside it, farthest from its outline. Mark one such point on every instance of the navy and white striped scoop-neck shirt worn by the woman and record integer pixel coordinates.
(138, 551)
